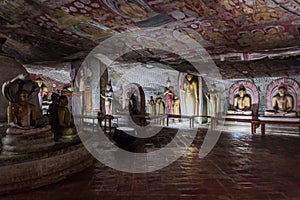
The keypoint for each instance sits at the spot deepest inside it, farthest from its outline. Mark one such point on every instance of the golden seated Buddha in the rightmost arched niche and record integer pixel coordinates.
(282, 104)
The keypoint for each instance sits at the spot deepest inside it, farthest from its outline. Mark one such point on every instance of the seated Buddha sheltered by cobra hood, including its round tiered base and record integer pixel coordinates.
(25, 134)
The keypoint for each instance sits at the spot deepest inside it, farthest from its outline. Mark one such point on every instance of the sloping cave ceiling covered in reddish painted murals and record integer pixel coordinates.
(63, 30)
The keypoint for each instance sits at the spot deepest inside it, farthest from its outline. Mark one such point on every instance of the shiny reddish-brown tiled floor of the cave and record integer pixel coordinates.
(241, 166)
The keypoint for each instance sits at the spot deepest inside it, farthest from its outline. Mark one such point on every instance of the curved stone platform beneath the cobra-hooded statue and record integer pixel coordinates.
(29, 171)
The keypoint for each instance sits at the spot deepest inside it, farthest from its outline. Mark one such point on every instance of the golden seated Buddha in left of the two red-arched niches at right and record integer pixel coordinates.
(242, 103)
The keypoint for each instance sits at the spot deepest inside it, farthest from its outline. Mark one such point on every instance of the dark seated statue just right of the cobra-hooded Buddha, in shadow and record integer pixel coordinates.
(65, 128)
